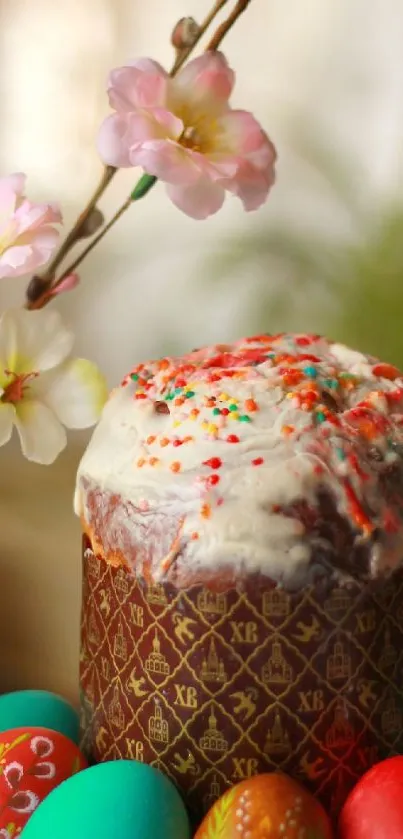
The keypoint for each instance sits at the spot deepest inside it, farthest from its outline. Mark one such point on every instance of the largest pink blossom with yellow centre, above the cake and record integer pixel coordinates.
(184, 132)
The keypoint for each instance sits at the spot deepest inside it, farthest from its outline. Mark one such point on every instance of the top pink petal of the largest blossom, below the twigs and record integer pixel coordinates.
(206, 77)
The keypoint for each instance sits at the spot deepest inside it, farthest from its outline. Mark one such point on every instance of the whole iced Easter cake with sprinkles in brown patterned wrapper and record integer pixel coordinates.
(243, 525)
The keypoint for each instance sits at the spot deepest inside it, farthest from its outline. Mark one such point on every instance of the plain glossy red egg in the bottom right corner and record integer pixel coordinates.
(374, 808)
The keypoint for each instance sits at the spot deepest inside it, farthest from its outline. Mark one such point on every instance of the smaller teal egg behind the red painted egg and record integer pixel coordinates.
(41, 709)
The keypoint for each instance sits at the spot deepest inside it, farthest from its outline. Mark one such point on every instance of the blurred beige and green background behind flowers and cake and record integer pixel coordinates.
(326, 253)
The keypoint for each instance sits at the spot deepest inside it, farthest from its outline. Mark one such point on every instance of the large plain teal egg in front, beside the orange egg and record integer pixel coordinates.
(122, 798)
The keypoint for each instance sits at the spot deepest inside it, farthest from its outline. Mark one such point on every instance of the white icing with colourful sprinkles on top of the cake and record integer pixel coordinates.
(288, 451)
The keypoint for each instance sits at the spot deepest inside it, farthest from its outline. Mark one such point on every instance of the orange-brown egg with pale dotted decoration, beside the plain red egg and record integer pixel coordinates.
(266, 807)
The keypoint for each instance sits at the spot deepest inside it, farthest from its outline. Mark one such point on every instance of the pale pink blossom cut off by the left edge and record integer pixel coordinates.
(27, 235)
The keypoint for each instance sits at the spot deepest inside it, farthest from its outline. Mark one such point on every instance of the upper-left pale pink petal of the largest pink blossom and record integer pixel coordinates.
(141, 85)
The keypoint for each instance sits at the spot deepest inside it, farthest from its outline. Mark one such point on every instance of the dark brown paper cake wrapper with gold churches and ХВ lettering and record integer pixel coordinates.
(212, 687)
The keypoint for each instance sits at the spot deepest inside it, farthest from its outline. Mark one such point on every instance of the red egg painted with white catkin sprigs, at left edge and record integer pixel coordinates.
(33, 761)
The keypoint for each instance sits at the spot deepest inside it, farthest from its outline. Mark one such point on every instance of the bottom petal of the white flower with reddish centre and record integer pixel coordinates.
(42, 435)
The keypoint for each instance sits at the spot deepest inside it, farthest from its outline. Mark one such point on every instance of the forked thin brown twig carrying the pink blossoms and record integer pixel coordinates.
(48, 283)
